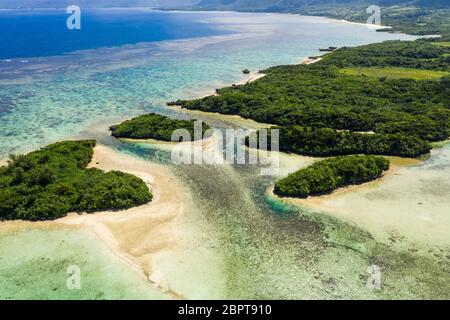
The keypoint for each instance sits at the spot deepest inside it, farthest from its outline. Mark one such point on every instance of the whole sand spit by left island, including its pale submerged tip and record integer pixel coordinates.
(164, 241)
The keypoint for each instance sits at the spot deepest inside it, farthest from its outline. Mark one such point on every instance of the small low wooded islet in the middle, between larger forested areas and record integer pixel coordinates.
(154, 126)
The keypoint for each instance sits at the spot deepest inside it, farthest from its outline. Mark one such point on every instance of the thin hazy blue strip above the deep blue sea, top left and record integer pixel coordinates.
(14, 4)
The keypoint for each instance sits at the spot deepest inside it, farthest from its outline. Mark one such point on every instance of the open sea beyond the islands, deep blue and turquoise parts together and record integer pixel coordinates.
(114, 73)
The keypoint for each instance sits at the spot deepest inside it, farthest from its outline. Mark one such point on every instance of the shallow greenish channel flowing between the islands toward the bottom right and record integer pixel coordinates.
(273, 250)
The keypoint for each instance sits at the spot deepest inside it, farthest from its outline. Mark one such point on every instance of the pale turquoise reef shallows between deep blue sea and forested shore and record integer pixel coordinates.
(48, 99)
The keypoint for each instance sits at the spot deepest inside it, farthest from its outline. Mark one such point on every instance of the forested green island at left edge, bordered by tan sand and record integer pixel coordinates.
(53, 181)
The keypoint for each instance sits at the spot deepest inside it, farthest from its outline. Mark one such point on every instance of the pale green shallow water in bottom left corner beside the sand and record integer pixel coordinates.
(34, 265)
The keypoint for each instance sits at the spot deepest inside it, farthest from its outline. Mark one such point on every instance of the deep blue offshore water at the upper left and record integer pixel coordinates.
(44, 33)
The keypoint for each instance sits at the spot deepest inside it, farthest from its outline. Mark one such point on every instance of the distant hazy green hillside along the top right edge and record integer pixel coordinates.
(409, 16)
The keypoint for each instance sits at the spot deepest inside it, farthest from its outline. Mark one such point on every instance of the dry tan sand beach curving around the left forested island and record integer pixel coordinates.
(145, 238)
